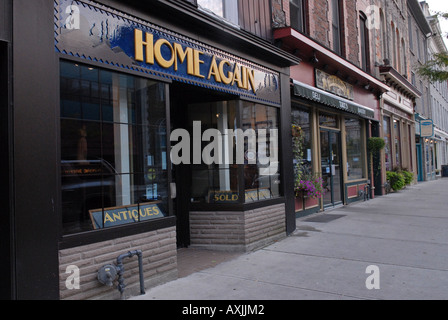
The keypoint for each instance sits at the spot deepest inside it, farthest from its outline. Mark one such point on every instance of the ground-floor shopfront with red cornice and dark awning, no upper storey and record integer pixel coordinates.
(335, 109)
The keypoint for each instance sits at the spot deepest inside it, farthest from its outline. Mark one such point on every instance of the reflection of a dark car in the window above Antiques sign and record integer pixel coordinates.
(86, 185)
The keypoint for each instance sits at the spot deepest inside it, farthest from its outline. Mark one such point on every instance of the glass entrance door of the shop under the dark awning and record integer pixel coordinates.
(331, 167)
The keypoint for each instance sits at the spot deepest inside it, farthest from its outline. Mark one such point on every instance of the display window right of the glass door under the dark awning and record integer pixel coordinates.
(355, 149)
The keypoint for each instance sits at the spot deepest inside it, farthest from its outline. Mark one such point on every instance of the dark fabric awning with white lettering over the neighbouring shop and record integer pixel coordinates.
(328, 99)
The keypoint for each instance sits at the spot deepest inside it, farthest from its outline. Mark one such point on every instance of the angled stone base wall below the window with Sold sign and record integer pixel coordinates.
(238, 231)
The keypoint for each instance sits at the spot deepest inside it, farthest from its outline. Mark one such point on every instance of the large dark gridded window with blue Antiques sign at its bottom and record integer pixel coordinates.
(113, 148)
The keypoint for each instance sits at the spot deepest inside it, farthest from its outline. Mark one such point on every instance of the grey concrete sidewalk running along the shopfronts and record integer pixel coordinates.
(404, 234)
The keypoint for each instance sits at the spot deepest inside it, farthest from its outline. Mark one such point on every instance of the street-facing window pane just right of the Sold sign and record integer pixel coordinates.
(262, 178)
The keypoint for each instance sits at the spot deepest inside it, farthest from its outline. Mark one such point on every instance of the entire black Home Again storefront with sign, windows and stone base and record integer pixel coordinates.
(156, 137)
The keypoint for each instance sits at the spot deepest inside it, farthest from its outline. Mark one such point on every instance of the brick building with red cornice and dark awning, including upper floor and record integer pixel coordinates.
(336, 97)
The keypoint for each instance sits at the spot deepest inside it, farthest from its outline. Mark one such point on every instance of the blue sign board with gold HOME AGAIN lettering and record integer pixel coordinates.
(94, 32)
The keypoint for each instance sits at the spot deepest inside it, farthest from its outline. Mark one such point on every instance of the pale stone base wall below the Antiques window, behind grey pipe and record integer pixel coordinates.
(159, 264)
